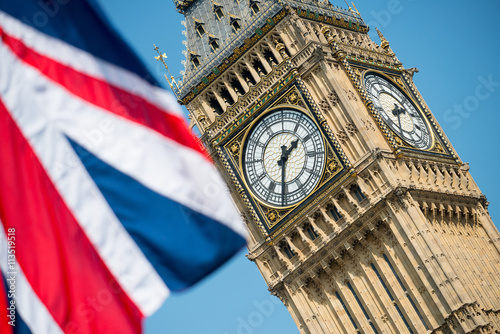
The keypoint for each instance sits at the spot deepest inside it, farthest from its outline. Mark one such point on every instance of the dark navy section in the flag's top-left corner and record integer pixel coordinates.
(80, 23)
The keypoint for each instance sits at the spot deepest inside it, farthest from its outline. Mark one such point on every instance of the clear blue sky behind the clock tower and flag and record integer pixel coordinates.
(456, 47)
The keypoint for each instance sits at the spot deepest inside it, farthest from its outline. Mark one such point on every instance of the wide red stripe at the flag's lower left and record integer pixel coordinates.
(56, 256)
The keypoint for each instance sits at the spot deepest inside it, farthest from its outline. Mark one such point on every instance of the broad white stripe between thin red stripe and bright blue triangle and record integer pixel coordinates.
(162, 165)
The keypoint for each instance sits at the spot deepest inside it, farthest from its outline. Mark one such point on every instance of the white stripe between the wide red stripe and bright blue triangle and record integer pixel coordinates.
(122, 256)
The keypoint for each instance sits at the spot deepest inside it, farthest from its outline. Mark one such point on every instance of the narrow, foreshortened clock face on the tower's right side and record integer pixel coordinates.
(398, 112)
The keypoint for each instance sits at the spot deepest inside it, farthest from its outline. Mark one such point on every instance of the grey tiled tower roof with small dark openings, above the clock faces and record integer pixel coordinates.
(229, 23)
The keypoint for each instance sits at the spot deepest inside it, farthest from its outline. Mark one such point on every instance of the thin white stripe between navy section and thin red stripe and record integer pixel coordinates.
(88, 64)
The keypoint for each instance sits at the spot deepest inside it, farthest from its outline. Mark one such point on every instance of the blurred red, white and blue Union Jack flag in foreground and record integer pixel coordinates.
(107, 202)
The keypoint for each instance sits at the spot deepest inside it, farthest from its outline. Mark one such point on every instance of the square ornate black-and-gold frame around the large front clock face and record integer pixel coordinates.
(271, 220)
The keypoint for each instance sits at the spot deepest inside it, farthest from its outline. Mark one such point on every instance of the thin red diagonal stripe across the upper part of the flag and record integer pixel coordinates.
(104, 95)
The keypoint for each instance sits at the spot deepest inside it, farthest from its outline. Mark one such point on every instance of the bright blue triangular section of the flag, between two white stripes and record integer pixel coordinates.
(183, 245)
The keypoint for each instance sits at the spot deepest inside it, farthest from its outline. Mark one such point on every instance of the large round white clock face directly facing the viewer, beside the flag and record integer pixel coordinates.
(284, 157)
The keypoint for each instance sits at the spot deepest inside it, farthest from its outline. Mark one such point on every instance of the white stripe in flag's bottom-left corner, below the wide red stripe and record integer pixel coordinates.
(28, 306)
